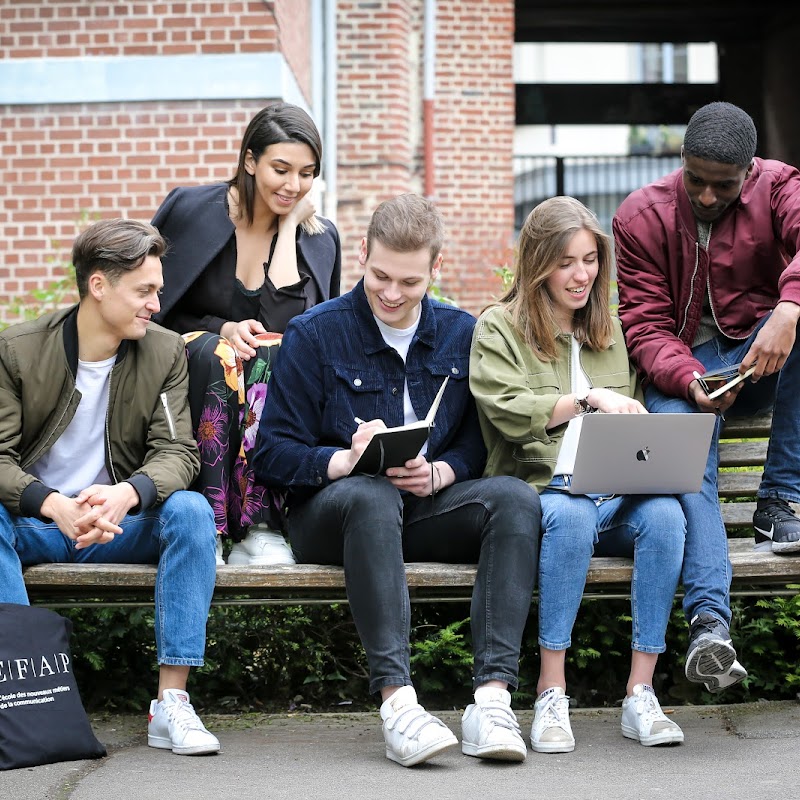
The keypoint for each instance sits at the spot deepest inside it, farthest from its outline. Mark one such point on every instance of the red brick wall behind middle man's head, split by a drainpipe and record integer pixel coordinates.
(380, 129)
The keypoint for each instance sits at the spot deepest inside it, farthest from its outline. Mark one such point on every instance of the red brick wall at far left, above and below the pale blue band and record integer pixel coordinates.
(62, 164)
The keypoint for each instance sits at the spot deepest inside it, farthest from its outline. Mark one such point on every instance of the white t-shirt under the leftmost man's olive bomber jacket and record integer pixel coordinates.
(78, 457)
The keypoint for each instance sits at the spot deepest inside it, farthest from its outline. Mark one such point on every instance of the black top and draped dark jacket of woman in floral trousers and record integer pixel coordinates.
(201, 291)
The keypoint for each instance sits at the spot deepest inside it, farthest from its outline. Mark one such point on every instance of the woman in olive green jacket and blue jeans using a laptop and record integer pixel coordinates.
(545, 355)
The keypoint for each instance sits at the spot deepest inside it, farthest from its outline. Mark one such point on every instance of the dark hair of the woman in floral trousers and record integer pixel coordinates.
(279, 122)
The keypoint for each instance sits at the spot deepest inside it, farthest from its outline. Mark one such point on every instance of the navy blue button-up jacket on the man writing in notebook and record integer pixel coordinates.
(333, 365)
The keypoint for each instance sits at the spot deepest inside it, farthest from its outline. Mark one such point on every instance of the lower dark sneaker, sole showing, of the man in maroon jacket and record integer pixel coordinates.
(711, 658)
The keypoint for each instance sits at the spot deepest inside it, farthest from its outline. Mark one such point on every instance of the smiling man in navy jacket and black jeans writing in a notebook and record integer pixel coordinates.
(380, 354)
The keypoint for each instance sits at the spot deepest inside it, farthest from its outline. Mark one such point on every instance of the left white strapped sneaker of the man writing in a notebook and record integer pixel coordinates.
(411, 734)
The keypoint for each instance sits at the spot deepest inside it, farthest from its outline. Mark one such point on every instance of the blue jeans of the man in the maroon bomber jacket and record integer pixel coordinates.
(706, 568)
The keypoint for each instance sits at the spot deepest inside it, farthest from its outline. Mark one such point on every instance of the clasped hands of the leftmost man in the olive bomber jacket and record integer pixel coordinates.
(93, 516)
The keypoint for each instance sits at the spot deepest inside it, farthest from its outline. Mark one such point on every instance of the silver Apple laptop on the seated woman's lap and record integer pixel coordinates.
(642, 453)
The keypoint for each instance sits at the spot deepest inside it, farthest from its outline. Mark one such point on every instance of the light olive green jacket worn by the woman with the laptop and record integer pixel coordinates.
(516, 394)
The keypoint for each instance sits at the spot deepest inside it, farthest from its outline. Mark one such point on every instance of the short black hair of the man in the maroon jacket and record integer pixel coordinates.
(721, 132)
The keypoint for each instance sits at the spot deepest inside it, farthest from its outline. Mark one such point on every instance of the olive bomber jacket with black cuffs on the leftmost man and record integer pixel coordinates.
(149, 440)
